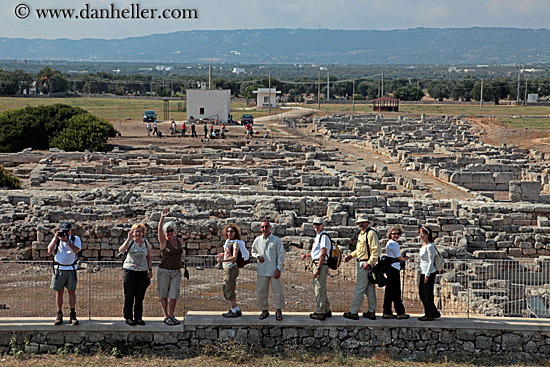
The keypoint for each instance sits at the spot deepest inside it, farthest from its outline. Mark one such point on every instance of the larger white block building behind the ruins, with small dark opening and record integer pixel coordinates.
(204, 103)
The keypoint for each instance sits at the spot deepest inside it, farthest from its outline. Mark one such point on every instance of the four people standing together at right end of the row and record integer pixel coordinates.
(367, 254)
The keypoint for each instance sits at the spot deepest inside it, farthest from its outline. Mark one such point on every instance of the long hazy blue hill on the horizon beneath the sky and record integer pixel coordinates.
(409, 46)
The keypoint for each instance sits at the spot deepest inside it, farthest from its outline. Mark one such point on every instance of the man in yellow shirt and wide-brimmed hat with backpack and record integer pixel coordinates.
(366, 252)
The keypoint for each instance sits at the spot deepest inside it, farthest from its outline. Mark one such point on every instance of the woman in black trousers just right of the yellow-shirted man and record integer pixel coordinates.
(392, 294)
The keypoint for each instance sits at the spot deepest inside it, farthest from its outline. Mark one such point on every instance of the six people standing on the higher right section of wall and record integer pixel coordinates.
(270, 255)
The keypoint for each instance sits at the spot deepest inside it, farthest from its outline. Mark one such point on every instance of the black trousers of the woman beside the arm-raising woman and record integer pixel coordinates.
(135, 285)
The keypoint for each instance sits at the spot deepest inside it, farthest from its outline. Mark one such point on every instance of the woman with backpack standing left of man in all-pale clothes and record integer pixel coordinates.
(228, 259)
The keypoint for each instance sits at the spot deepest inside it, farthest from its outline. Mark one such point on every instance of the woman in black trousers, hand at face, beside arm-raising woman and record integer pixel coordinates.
(138, 271)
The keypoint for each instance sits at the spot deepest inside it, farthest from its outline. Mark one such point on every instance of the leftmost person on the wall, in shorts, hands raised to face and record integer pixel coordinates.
(65, 246)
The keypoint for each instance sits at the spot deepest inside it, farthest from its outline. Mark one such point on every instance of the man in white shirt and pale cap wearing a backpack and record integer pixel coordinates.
(318, 255)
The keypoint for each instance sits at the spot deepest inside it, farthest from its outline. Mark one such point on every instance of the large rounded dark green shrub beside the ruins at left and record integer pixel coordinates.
(44, 127)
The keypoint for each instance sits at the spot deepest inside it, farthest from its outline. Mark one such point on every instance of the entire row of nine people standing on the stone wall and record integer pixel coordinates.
(269, 252)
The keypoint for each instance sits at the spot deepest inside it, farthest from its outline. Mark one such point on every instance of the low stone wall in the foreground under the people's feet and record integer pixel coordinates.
(408, 339)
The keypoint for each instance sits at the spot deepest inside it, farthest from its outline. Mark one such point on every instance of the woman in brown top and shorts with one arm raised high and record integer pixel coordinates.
(169, 272)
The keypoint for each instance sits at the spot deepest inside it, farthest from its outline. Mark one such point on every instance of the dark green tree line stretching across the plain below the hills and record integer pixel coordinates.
(49, 80)
